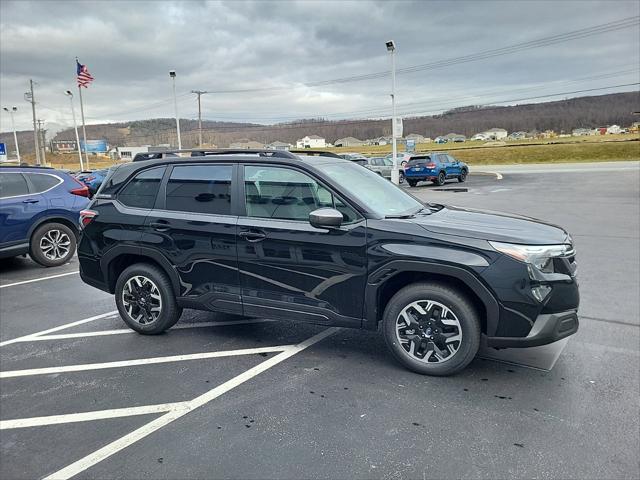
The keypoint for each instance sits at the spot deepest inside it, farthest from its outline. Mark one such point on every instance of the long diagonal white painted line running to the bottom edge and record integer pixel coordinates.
(147, 429)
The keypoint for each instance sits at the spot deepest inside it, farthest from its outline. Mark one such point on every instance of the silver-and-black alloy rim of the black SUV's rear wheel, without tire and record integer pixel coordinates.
(142, 300)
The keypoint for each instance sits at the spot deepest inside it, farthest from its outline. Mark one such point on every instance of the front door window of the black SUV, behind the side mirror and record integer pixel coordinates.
(287, 194)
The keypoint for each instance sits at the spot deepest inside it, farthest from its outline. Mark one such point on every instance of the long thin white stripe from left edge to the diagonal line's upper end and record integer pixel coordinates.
(140, 361)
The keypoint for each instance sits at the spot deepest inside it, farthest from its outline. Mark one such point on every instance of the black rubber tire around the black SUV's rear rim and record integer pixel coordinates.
(169, 312)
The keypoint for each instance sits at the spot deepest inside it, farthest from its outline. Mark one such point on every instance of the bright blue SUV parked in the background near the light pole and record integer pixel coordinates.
(434, 167)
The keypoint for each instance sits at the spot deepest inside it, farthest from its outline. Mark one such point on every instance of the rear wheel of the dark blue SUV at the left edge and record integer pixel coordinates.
(52, 244)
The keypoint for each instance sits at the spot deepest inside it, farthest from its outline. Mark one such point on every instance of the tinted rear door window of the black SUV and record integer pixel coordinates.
(200, 188)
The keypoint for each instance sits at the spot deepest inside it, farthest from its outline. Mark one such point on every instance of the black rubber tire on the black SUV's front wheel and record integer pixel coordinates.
(458, 305)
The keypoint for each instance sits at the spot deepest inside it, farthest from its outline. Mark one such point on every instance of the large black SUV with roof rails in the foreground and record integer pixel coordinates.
(323, 240)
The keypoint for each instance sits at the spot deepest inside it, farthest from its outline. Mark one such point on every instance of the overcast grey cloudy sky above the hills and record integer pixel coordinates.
(279, 48)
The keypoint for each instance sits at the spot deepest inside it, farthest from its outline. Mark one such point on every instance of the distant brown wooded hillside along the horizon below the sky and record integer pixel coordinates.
(563, 115)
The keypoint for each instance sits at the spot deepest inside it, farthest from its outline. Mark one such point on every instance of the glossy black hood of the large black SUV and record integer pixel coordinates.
(495, 226)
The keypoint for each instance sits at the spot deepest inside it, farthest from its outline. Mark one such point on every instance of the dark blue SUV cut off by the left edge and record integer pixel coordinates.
(39, 213)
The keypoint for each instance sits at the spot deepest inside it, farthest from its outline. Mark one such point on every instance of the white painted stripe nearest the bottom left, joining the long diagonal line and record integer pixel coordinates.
(89, 416)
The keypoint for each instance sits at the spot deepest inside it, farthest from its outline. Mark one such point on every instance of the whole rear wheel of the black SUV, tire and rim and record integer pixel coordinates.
(145, 299)
